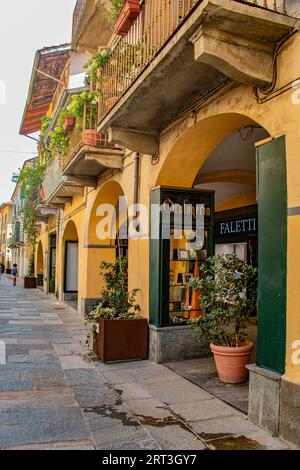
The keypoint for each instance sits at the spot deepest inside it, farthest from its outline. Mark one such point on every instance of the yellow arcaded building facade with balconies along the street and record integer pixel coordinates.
(214, 106)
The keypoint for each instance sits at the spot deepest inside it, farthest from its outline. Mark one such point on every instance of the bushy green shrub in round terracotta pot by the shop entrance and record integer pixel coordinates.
(228, 289)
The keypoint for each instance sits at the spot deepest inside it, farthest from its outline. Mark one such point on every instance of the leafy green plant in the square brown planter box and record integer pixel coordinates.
(115, 326)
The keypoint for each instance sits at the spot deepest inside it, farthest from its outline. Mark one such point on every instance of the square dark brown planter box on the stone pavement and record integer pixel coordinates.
(122, 340)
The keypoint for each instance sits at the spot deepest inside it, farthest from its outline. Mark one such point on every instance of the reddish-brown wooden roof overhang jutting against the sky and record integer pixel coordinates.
(48, 67)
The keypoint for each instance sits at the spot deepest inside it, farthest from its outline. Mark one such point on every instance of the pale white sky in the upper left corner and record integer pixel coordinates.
(25, 27)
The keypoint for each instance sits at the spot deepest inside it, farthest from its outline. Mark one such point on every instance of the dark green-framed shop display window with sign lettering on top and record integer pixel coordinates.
(173, 260)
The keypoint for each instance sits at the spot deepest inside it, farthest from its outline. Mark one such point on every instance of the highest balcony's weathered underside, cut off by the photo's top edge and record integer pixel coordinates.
(90, 25)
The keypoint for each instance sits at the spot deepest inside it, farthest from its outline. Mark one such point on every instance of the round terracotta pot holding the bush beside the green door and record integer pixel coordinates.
(231, 362)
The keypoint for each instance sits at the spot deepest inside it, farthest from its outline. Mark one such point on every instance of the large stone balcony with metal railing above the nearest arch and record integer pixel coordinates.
(179, 51)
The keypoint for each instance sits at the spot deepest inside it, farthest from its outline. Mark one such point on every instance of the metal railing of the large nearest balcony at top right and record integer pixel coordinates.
(158, 20)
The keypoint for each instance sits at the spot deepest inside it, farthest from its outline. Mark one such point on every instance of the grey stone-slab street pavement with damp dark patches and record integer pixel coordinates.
(54, 395)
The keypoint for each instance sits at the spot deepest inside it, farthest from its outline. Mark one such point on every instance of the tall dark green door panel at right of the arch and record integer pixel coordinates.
(272, 254)
